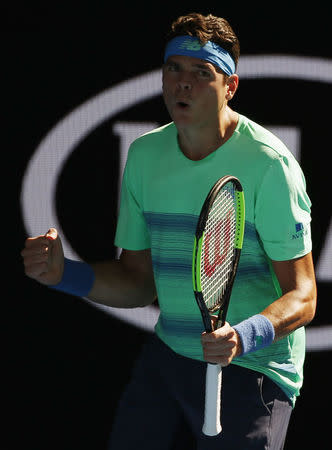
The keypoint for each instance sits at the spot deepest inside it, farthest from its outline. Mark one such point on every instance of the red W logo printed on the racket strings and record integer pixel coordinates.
(222, 238)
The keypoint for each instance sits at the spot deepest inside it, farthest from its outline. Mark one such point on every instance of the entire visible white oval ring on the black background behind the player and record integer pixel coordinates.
(46, 164)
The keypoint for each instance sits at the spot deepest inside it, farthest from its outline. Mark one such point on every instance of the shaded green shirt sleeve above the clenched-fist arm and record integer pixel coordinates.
(131, 231)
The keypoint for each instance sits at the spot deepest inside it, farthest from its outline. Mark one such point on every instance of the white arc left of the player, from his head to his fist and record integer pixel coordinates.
(46, 164)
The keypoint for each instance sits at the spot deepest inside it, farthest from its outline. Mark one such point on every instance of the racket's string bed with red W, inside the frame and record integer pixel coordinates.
(218, 247)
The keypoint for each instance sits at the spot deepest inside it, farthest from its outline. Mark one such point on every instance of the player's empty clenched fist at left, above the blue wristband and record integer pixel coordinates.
(43, 258)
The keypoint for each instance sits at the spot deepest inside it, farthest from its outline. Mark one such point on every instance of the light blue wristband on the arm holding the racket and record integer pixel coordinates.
(255, 333)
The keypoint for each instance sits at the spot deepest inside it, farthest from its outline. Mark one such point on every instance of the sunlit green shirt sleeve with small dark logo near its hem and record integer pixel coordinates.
(282, 211)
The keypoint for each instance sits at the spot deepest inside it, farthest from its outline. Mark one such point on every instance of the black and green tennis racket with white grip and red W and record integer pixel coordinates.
(217, 247)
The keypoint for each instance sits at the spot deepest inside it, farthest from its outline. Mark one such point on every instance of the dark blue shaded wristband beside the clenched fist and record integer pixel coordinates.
(77, 279)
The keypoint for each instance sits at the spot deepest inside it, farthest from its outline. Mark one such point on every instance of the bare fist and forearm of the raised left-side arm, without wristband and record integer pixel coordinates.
(124, 283)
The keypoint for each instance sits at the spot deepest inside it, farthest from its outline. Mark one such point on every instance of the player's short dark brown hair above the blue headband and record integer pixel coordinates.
(207, 28)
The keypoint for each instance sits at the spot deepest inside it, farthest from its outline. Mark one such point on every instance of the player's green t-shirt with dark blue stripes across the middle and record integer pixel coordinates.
(162, 194)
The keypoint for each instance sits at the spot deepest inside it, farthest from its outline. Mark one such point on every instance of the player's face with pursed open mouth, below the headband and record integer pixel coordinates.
(194, 91)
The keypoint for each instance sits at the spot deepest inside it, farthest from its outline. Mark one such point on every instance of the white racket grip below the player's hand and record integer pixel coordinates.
(212, 425)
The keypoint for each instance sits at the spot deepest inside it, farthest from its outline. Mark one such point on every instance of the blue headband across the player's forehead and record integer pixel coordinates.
(211, 52)
